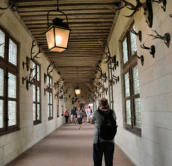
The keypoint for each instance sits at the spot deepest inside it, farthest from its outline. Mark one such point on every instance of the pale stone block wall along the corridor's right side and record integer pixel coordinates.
(154, 147)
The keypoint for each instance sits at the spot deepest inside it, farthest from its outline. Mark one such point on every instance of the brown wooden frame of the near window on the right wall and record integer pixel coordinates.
(128, 68)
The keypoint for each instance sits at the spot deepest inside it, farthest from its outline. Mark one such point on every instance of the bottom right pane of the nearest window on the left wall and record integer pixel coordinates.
(12, 113)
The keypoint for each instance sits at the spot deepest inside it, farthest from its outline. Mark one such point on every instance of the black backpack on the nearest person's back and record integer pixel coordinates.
(108, 127)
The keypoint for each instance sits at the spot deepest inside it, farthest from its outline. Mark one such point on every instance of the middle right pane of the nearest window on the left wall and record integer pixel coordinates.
(11, 85)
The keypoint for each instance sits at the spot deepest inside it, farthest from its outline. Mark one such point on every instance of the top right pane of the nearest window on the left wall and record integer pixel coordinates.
(12, 52)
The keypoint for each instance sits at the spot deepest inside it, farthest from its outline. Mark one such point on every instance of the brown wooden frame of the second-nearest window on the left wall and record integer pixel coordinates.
(37, 84)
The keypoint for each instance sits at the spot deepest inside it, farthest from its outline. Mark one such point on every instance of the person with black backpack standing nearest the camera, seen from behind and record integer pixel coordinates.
(103, 146)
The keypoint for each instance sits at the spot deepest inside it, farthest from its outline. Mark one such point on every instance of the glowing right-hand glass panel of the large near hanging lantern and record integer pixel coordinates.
(62, 36)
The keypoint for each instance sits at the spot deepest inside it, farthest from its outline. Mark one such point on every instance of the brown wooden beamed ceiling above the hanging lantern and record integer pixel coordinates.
(90, 23)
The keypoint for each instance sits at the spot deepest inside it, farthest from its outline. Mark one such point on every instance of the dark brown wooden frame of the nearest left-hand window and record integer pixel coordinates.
(7, 68)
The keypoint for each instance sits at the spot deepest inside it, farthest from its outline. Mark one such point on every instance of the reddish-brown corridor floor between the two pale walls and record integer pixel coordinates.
(67, 146)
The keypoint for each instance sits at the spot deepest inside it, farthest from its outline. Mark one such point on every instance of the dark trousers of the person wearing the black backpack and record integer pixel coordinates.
(105, 148)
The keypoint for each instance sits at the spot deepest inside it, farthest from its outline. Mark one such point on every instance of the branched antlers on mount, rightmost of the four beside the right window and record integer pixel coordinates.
(166, 38)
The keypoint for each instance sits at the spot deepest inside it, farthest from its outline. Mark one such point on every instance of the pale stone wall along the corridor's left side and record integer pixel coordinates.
(13, 144)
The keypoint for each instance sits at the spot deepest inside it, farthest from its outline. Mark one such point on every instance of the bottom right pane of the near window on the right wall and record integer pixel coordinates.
(137, 112)
